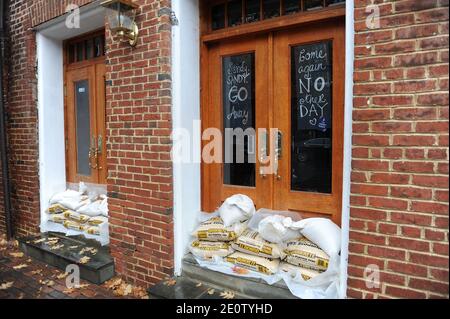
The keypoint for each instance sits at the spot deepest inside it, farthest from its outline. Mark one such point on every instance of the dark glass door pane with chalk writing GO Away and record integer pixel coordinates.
(239, 113)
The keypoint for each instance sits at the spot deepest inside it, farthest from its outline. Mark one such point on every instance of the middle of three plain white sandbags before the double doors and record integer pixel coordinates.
(275, 229)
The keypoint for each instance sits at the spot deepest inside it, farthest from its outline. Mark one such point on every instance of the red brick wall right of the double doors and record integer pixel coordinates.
(399, 201)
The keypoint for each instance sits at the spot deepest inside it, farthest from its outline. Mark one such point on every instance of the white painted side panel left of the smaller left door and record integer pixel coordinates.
(52, 163)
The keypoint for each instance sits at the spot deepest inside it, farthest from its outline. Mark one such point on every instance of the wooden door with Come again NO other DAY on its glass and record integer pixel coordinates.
(309, 90)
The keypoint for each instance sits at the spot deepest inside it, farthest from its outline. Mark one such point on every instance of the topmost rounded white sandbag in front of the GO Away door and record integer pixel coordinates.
(235, 209)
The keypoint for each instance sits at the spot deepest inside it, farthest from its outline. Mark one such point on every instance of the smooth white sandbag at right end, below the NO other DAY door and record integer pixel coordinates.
(323, 232)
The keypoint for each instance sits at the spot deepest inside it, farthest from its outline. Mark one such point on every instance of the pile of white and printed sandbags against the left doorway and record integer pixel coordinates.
(79, 211)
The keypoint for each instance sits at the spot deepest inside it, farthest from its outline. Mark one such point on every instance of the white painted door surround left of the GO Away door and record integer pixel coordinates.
(185, 110)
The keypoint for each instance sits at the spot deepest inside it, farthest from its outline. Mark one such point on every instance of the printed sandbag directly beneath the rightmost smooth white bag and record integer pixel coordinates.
(306, 254)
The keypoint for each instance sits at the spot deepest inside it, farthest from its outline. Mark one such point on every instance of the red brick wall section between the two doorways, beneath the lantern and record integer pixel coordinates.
(139, 164)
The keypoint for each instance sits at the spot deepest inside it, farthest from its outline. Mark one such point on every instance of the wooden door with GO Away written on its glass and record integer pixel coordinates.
(237, 97)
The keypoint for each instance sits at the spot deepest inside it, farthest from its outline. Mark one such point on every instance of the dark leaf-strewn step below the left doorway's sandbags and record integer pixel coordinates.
(99, 269)
